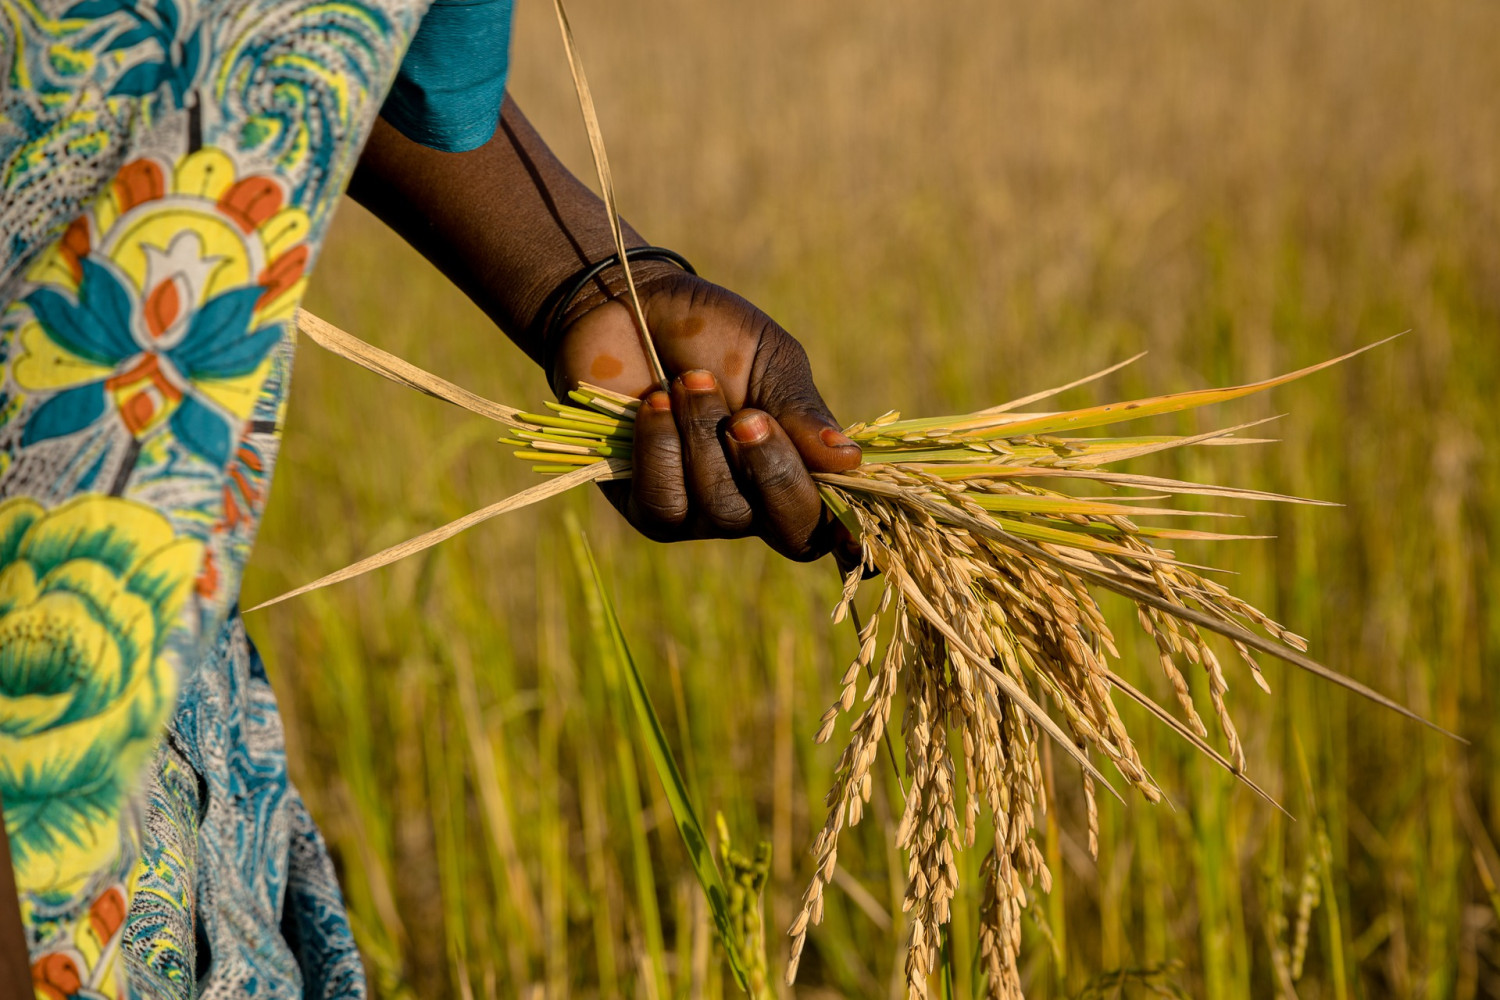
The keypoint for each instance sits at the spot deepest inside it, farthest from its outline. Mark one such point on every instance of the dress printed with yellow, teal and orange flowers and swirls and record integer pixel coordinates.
(167, 173)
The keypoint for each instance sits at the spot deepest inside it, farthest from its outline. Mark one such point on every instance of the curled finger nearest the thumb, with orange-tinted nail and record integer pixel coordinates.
(773, 476)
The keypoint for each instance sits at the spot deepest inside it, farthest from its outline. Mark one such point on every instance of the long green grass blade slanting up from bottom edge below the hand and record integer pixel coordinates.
(694, 839)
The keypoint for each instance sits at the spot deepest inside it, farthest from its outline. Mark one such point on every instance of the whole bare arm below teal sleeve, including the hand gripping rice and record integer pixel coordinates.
(728, 452)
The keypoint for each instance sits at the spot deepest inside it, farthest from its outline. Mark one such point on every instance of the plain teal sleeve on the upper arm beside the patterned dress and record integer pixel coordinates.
(452, 82)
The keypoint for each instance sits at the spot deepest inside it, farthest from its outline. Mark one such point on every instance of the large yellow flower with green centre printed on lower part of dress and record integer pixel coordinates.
(89, 594)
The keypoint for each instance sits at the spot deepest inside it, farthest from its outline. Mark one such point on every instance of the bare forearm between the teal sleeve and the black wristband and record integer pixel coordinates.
(506, 223)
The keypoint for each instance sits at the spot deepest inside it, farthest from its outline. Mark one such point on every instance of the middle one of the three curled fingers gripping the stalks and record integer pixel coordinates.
(701, 418)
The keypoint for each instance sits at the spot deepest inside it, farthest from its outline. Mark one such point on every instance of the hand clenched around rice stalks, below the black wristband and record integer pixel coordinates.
(730, 451)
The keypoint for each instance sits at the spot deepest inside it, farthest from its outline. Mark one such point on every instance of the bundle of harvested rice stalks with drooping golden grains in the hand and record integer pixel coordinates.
(988, 578)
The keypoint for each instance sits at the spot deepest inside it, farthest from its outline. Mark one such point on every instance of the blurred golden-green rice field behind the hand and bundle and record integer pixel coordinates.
(952, 205)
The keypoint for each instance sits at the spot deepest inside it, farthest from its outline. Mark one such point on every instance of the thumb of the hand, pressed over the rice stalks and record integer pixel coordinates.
(784, 388)
